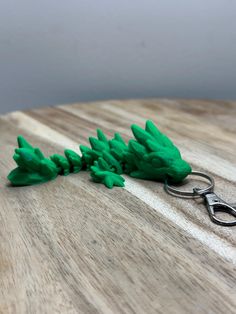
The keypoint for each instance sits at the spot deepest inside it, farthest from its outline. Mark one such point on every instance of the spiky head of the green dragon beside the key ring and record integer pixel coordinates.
(155, 156)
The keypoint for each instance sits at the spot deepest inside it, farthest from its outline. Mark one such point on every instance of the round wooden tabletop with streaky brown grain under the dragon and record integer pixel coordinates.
(73, 246)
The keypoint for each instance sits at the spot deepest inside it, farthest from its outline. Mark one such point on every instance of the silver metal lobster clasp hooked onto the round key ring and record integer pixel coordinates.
(216, 204)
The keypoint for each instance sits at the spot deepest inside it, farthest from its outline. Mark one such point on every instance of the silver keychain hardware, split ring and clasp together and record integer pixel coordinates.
(214, 203)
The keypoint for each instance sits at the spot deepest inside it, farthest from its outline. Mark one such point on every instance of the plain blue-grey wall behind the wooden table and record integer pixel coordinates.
(61, 51)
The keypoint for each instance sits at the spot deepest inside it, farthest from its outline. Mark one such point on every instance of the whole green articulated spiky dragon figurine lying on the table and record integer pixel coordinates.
(151, 156)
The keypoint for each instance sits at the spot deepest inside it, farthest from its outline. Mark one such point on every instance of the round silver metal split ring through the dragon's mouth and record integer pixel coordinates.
(196, 192)
